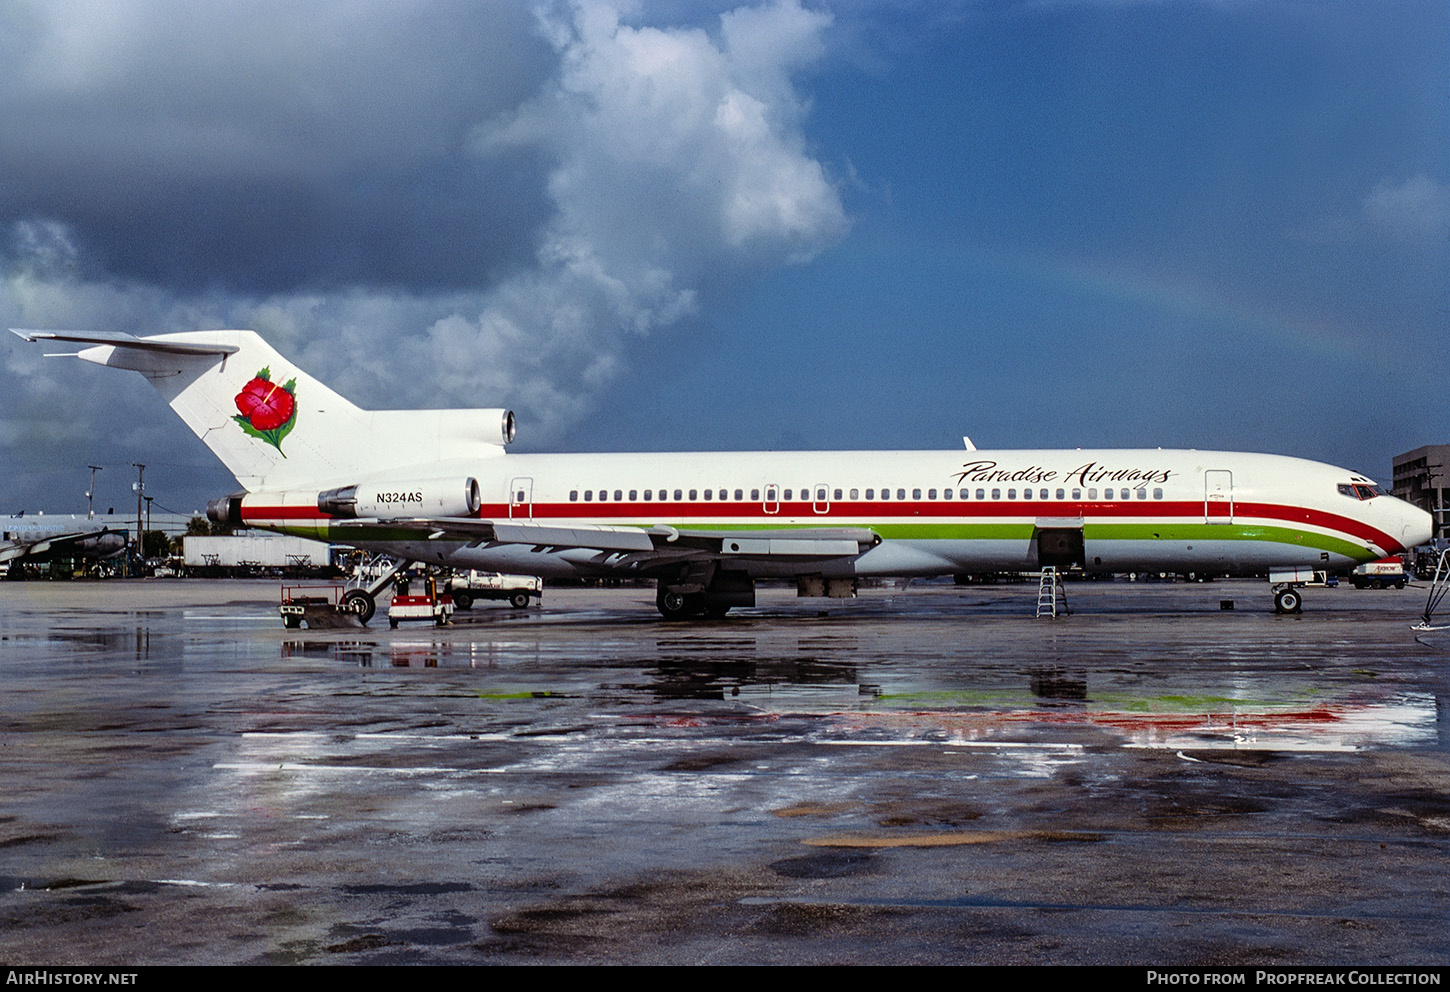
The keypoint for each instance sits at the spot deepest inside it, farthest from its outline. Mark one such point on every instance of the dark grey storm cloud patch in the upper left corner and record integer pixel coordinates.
(270, 146)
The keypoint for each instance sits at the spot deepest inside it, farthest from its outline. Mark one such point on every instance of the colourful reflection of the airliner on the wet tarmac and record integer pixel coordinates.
(1280, 711)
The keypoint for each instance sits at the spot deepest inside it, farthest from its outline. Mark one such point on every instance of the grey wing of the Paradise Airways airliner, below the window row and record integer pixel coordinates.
(663, 543)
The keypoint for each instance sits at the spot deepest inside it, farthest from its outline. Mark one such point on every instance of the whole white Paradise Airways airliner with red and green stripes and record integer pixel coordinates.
(437, 487)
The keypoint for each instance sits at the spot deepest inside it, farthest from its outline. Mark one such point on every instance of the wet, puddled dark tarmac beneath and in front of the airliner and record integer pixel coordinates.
(916, 777)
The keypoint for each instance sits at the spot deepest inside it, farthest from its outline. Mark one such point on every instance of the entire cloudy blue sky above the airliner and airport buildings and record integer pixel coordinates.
(675, 226)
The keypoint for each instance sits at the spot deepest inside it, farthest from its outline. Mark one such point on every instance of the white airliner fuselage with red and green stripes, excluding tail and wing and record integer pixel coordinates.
(937, 513)
